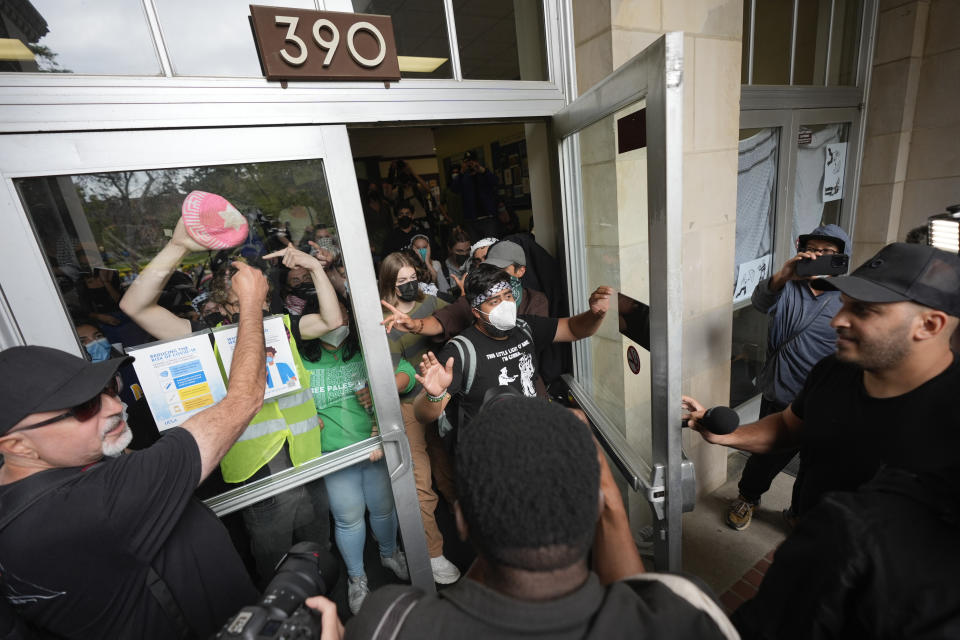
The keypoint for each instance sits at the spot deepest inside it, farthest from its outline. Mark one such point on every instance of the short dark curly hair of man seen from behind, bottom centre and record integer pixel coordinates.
(528, 481)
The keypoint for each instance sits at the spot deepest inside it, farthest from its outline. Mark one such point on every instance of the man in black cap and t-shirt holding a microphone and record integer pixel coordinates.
(887, 396)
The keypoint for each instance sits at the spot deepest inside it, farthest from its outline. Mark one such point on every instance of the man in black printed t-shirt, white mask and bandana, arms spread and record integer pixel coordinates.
(502, 351)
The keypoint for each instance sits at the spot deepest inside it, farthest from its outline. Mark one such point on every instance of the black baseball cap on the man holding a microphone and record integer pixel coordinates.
(903, 272)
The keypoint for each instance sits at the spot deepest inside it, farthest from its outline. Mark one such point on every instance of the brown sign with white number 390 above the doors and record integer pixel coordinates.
(300, 44)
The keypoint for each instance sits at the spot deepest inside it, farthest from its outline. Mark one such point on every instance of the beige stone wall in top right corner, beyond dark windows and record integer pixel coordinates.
(911, 160)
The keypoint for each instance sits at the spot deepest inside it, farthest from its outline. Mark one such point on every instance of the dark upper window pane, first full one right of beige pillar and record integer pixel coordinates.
(772, 35)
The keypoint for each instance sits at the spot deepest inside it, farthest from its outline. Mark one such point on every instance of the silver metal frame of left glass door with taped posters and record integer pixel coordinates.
(29, 289)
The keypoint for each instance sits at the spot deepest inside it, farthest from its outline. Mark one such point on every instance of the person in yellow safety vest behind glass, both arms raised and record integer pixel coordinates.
(286, 431)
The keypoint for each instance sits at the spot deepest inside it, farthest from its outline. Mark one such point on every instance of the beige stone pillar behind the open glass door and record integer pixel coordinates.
(607, 34)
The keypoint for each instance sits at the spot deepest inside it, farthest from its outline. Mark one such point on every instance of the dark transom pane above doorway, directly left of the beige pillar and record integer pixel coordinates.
(501, 40)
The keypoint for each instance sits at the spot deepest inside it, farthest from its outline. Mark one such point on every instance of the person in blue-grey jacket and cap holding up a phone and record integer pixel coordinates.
(800, 336)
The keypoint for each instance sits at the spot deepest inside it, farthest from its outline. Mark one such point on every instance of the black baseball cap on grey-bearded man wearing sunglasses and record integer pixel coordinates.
(38, 379)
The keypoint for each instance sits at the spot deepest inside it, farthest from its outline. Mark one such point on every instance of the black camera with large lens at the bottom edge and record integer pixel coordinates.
(306, 570)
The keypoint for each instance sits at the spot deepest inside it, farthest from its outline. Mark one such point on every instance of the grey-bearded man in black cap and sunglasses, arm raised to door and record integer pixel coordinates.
(96, 544)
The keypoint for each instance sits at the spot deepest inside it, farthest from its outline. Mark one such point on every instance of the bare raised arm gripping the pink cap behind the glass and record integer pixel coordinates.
(140, 300)
